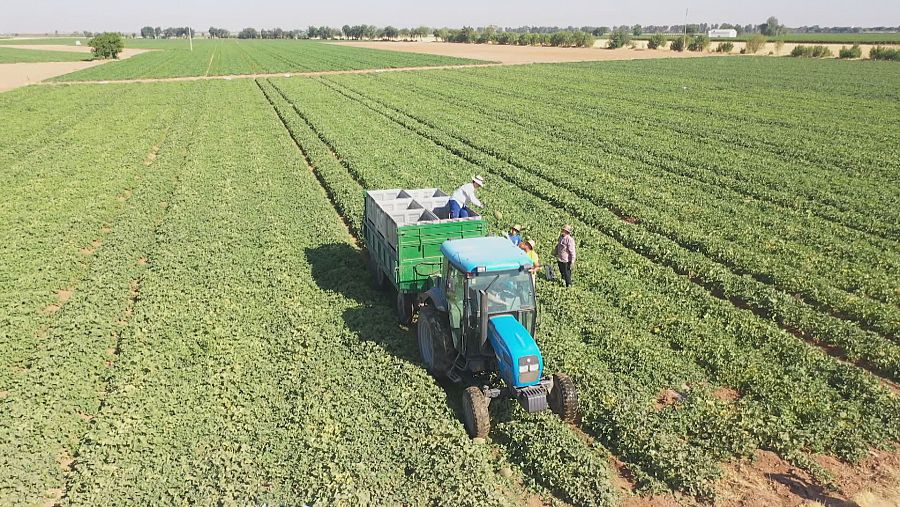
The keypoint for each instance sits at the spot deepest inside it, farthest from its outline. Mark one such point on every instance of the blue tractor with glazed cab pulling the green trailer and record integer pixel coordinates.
(478, 319)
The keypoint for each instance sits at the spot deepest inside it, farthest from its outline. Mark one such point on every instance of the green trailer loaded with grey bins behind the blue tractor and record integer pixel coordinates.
(404, 231)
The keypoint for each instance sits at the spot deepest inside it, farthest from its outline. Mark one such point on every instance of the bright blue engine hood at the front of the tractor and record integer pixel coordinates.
(518, 355)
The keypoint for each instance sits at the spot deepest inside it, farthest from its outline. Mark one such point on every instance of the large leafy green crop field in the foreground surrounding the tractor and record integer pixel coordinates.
(187, 316)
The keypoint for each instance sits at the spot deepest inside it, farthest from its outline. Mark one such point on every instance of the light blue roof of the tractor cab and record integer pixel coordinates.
(490, 254)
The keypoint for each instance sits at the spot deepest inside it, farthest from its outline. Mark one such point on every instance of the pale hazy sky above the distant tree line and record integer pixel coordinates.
(45, 16)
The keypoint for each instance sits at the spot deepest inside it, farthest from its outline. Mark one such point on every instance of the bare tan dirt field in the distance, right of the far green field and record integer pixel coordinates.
(521, 54)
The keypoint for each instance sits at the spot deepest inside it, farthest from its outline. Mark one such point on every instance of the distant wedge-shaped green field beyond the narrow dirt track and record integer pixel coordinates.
(234, 56)
